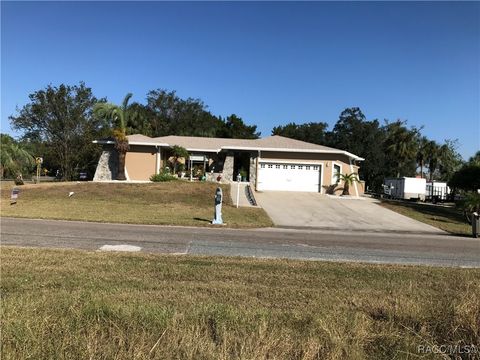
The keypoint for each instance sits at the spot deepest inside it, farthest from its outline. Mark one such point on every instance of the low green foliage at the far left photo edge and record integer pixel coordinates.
(14, 159)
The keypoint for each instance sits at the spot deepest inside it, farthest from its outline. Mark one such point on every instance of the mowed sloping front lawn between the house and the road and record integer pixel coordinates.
(171, 203)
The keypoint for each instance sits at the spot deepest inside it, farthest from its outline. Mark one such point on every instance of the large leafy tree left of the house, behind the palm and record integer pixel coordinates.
(59, 122)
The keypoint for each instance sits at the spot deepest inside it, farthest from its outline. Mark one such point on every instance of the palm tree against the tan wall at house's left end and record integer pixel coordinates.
(120, 117)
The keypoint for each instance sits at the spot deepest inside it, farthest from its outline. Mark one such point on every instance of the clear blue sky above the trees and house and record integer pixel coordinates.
(270, 63)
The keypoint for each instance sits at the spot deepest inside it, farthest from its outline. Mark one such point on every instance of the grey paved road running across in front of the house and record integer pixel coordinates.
(395, 248)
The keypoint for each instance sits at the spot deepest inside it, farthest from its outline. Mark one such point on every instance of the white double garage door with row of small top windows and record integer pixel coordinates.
(289, 177)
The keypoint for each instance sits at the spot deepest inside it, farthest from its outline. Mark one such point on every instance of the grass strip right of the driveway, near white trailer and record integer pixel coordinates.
(445, 218)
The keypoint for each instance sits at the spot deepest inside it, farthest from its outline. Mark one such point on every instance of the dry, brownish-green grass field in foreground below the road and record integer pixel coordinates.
(65, 304)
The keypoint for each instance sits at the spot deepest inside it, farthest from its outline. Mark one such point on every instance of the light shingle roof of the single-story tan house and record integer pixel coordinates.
(271, 143)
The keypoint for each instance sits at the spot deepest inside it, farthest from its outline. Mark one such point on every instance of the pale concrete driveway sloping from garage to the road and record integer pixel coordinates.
(299, 209)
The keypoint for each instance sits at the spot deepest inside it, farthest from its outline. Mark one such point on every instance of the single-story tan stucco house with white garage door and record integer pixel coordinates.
(272, 163)
